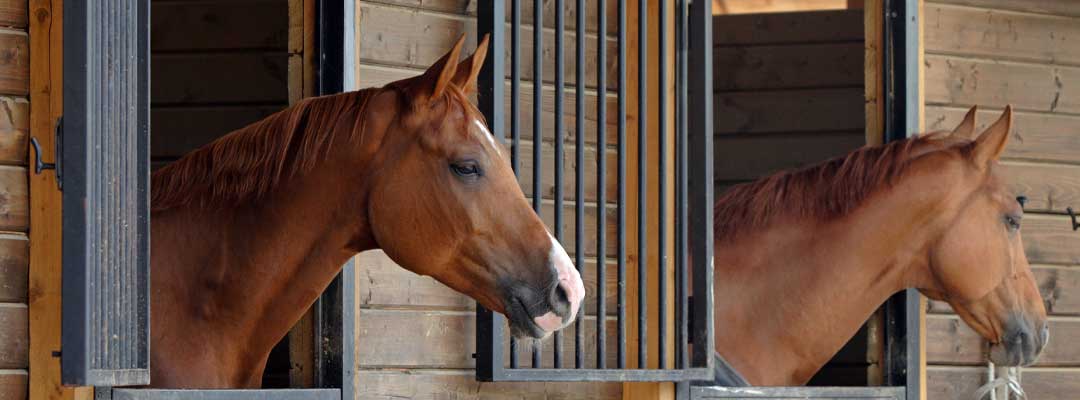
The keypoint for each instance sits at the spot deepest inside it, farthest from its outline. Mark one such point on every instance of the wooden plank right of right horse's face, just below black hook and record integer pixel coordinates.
(1050, 241)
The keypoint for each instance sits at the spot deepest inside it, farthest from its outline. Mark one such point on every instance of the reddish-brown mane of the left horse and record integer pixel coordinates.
(251, 162)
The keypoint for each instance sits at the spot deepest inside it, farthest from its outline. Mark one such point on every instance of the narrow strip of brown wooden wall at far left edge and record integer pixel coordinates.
(15, 199)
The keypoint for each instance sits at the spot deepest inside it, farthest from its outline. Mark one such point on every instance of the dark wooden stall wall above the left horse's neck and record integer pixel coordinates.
(215, 66)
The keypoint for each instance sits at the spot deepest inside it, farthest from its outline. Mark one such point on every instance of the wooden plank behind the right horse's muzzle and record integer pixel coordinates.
(952, 342)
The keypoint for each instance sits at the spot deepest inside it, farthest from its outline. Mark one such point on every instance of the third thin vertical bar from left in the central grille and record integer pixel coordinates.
(560, 142)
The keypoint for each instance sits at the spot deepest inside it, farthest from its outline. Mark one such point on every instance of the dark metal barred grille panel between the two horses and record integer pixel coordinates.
(498, 361)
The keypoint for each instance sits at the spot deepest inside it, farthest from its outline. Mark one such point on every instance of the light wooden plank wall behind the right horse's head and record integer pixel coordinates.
(1027, 54)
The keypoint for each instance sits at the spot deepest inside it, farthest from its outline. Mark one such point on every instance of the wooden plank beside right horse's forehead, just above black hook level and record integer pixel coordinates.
(1048, 188)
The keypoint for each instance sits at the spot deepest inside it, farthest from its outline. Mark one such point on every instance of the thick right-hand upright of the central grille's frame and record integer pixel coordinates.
(700, 138)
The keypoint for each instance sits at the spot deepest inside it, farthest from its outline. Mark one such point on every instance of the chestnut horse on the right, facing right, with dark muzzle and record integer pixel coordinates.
(804, 258)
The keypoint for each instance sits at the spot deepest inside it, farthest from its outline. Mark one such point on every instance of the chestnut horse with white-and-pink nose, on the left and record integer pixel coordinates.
(250, 230)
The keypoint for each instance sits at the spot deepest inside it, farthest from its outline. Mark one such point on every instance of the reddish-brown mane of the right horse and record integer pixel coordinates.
(827, 191)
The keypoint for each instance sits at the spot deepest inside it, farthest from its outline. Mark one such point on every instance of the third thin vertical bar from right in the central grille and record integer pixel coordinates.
(643, 129)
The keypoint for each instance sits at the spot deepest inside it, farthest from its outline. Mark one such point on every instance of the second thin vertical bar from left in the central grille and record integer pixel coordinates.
(537, 124)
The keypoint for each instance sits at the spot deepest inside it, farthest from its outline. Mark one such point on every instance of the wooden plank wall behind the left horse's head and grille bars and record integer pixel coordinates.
(417, 337)
